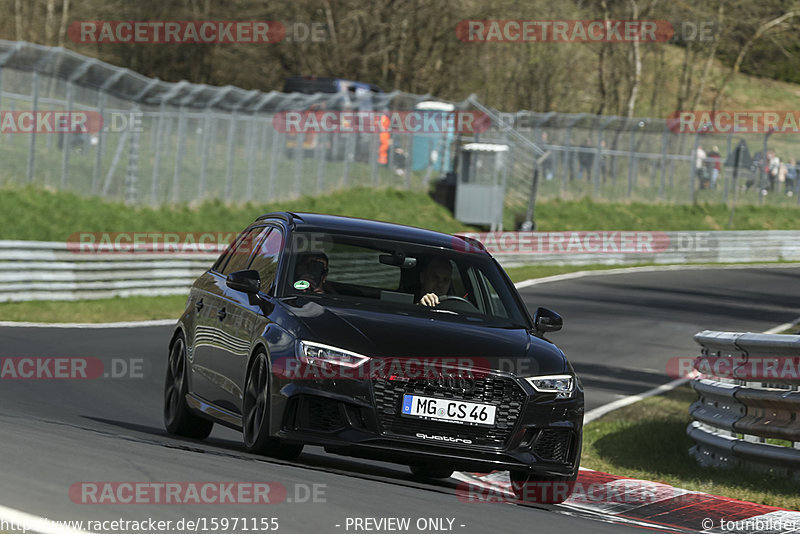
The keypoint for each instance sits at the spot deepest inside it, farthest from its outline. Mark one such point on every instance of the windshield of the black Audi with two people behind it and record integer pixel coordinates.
(395, 274)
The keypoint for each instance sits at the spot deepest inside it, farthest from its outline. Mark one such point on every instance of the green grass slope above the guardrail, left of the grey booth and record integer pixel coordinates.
(36, 214)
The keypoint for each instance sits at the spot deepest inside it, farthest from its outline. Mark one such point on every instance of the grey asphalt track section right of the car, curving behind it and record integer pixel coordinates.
(620, 330)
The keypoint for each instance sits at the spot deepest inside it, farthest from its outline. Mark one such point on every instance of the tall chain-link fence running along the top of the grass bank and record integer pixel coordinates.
(180, 142)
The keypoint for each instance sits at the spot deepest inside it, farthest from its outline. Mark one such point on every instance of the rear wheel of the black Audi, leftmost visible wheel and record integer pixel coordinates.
(178, 419)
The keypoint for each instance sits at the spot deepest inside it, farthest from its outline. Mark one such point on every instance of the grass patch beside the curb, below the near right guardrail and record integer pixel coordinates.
(647, 440)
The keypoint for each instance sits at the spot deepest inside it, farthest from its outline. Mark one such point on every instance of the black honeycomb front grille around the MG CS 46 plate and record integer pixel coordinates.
(502, 392)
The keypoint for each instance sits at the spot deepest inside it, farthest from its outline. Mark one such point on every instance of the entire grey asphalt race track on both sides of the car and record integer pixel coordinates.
(619, 331)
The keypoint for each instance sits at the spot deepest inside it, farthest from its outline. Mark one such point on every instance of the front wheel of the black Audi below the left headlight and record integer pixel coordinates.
(255, 415)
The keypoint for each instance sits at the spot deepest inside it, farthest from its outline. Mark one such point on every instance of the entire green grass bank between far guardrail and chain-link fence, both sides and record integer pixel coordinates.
(34, 213)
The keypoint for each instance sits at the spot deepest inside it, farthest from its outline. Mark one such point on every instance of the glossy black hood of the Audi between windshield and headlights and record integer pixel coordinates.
(386, 333)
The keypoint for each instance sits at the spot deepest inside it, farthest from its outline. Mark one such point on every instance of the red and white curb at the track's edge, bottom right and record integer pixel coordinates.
(646, 502)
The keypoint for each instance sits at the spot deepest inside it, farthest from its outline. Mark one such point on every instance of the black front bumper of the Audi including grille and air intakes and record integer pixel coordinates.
(532, 431)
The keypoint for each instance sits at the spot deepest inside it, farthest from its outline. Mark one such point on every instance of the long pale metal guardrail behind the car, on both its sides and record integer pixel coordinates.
(34, 270)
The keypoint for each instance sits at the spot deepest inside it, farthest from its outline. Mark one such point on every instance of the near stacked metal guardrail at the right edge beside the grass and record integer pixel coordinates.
(747, 394)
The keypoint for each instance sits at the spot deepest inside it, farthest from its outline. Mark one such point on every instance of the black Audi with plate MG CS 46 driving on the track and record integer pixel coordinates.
(374, 340)
